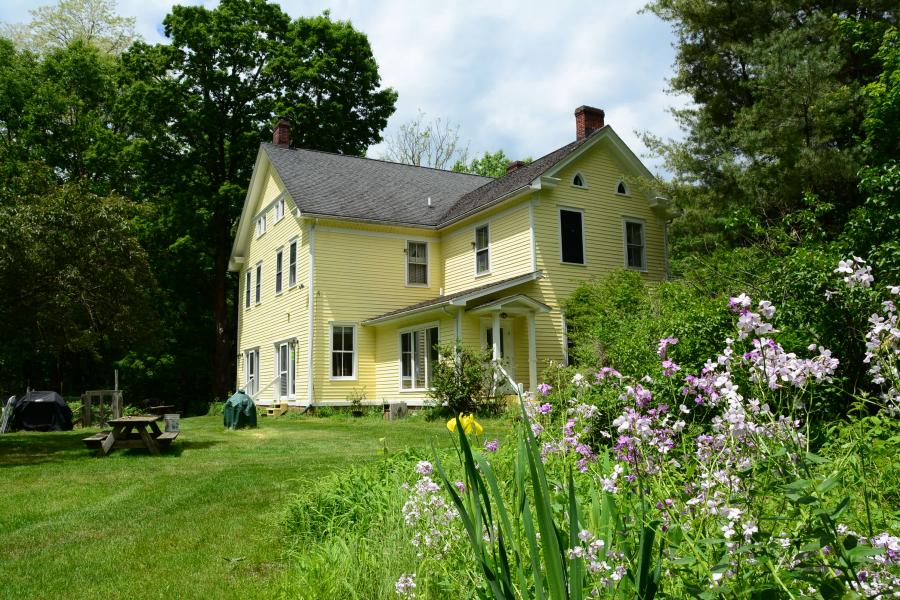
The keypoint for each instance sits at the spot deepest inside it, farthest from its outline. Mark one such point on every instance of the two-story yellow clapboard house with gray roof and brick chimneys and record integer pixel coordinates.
(353, 269)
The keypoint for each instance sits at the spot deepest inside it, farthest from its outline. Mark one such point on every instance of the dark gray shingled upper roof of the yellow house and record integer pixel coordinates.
(351, 187)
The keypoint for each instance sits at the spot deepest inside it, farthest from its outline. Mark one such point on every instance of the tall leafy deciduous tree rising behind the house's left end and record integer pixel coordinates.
(198, 107)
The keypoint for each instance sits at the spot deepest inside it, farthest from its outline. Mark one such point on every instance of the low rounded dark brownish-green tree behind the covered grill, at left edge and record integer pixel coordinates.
(78, 284)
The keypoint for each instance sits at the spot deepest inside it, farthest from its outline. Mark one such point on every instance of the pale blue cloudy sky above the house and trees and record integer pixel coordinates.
(509, 73)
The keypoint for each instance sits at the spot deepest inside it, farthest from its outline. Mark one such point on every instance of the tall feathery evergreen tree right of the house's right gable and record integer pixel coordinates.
(772, 146)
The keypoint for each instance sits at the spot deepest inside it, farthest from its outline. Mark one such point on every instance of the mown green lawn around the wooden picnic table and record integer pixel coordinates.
(196, 522)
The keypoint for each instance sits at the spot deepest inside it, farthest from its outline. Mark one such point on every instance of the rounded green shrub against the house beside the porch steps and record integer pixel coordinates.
(461, 380)
